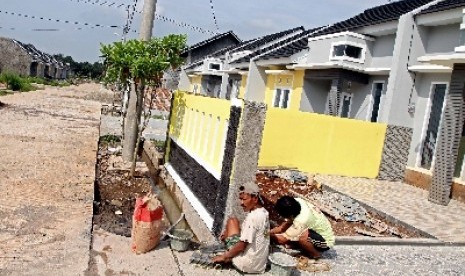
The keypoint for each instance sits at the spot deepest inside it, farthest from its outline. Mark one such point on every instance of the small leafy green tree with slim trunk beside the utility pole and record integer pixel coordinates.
(138, 64)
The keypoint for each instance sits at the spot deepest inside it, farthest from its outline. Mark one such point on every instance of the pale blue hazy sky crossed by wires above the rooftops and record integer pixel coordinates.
(81, 38)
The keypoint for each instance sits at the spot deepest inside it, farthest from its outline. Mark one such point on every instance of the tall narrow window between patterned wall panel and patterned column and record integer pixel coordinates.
(430, 136)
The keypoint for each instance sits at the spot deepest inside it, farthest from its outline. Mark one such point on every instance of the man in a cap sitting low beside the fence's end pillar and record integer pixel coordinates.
(248, 245)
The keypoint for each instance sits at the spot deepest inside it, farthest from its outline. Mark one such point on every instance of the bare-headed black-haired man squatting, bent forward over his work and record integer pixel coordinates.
(305, 226)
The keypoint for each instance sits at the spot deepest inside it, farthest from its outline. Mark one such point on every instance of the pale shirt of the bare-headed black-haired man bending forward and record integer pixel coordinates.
(310, 218)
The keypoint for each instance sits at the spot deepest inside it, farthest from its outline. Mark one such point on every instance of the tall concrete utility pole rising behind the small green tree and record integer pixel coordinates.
(136, 94)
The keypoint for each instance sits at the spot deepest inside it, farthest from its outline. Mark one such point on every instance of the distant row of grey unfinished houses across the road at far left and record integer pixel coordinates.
(27, 60)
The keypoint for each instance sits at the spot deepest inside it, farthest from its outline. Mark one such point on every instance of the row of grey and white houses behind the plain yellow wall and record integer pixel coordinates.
(401, 64)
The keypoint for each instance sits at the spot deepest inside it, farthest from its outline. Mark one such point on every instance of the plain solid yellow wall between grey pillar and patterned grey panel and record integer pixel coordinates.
(322, 144)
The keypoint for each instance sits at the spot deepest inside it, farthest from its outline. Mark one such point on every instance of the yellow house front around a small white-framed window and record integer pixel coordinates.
(295, 81)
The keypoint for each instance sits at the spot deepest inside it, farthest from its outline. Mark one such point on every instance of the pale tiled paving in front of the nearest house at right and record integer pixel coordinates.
(404, 203)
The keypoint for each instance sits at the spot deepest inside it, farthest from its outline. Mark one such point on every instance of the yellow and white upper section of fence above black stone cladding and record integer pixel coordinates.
(199, 125)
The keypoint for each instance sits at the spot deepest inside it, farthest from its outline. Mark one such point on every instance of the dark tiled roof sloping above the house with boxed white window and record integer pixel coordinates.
(377, 15)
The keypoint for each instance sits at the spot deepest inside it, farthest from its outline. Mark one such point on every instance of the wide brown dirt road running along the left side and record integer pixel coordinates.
(48, 143)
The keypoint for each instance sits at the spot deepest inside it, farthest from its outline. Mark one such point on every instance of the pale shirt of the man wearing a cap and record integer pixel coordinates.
(255, 230)
